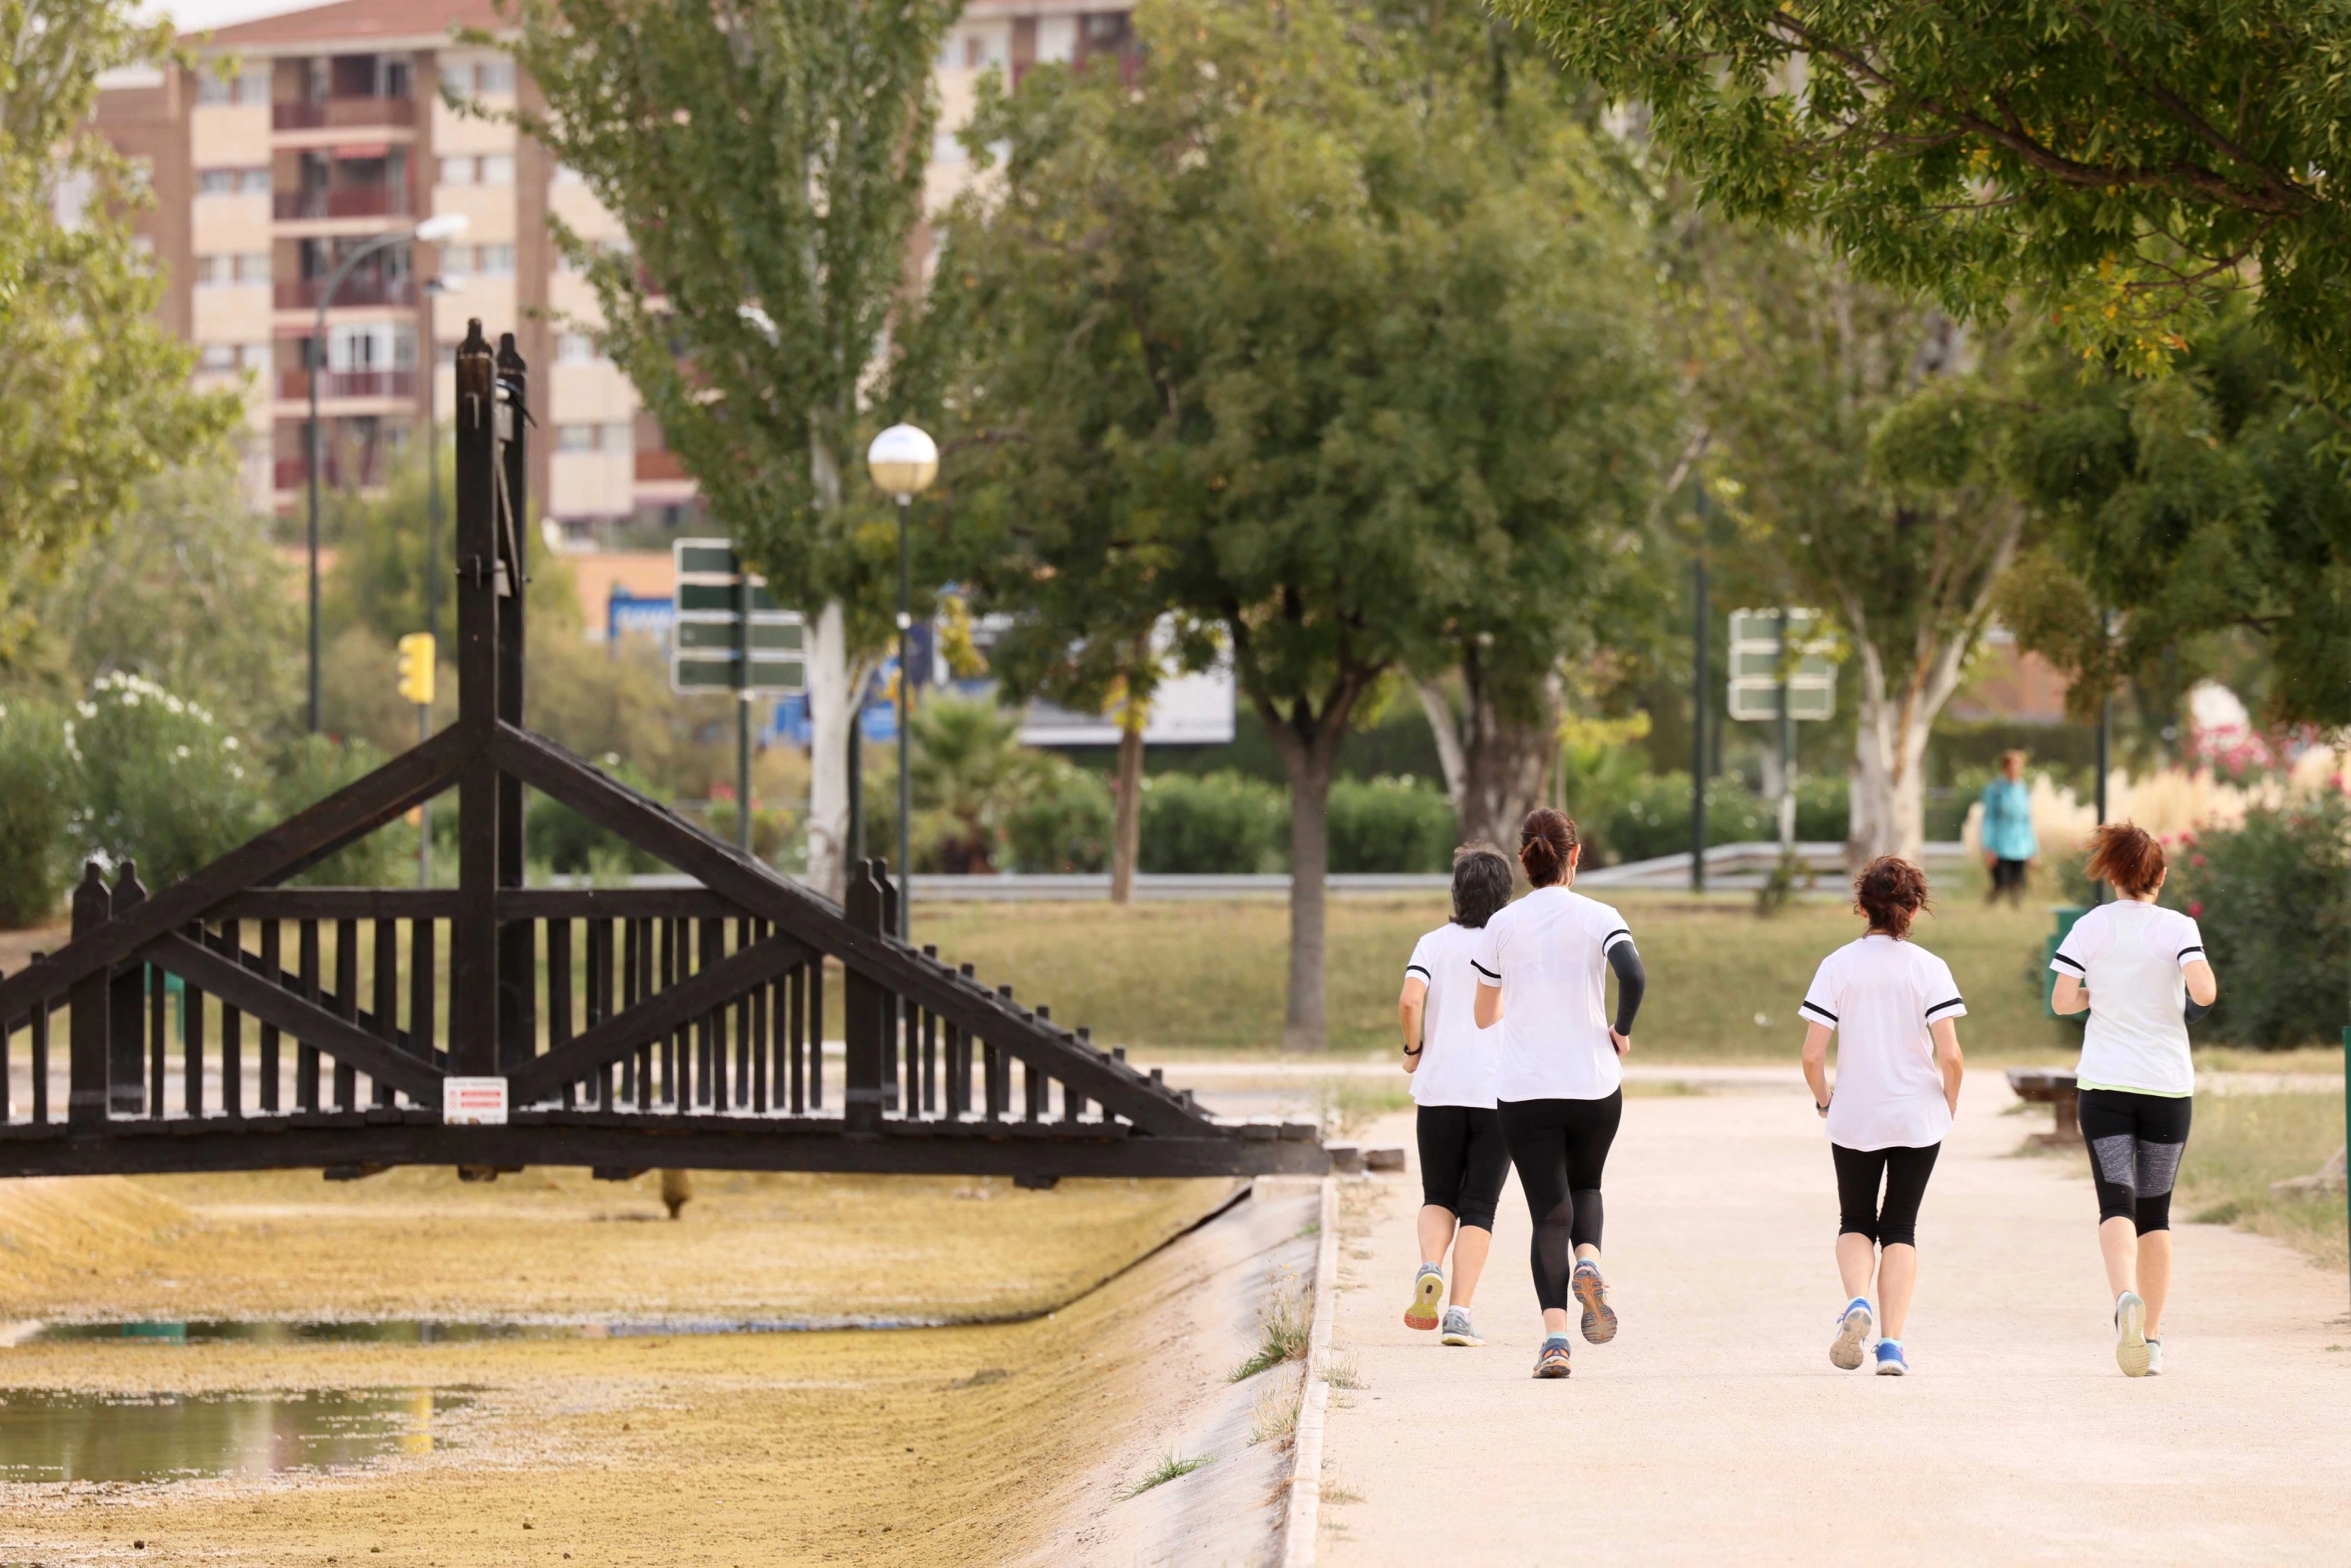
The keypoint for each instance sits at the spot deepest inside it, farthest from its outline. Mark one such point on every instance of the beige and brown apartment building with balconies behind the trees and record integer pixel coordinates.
(330, 135)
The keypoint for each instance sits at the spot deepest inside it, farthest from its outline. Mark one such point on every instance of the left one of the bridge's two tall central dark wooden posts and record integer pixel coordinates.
(474, 934)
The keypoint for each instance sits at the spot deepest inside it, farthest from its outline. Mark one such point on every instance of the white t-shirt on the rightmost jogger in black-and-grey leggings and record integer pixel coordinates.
(2131, 958)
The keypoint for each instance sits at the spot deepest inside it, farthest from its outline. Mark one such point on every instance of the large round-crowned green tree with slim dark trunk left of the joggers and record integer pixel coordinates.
(1299, 269)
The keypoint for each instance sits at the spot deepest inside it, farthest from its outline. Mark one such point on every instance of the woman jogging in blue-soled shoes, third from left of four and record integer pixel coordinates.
(1894, 1010)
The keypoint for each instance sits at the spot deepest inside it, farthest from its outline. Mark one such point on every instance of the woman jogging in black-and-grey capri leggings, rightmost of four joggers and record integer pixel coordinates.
(2143, 974)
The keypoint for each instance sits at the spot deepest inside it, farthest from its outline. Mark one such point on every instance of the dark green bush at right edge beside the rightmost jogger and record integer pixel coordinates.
(2277, 923)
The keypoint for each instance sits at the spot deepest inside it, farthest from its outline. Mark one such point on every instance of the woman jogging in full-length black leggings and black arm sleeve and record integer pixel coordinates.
(1543, 977)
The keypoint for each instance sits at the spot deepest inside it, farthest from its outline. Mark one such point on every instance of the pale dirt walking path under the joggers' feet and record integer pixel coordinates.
(1717, 1430)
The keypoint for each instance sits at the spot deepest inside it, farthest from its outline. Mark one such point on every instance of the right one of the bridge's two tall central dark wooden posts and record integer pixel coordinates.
(518, 942)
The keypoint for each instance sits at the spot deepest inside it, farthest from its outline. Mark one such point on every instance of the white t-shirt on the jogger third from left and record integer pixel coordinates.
(1882, 996)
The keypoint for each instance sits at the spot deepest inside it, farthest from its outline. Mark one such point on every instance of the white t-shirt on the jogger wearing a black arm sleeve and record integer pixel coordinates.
(1550, 958)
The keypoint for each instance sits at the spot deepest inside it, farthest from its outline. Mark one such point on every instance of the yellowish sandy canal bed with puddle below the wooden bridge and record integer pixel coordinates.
(956, 1445)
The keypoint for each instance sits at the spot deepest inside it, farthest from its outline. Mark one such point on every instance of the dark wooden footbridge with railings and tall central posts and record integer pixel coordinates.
(234, 1021)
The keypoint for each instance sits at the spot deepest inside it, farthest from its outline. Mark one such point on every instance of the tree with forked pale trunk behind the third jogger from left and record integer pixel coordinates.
(1866, 438)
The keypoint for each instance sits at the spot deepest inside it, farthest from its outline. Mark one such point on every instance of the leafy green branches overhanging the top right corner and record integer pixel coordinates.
(2117, 163)
